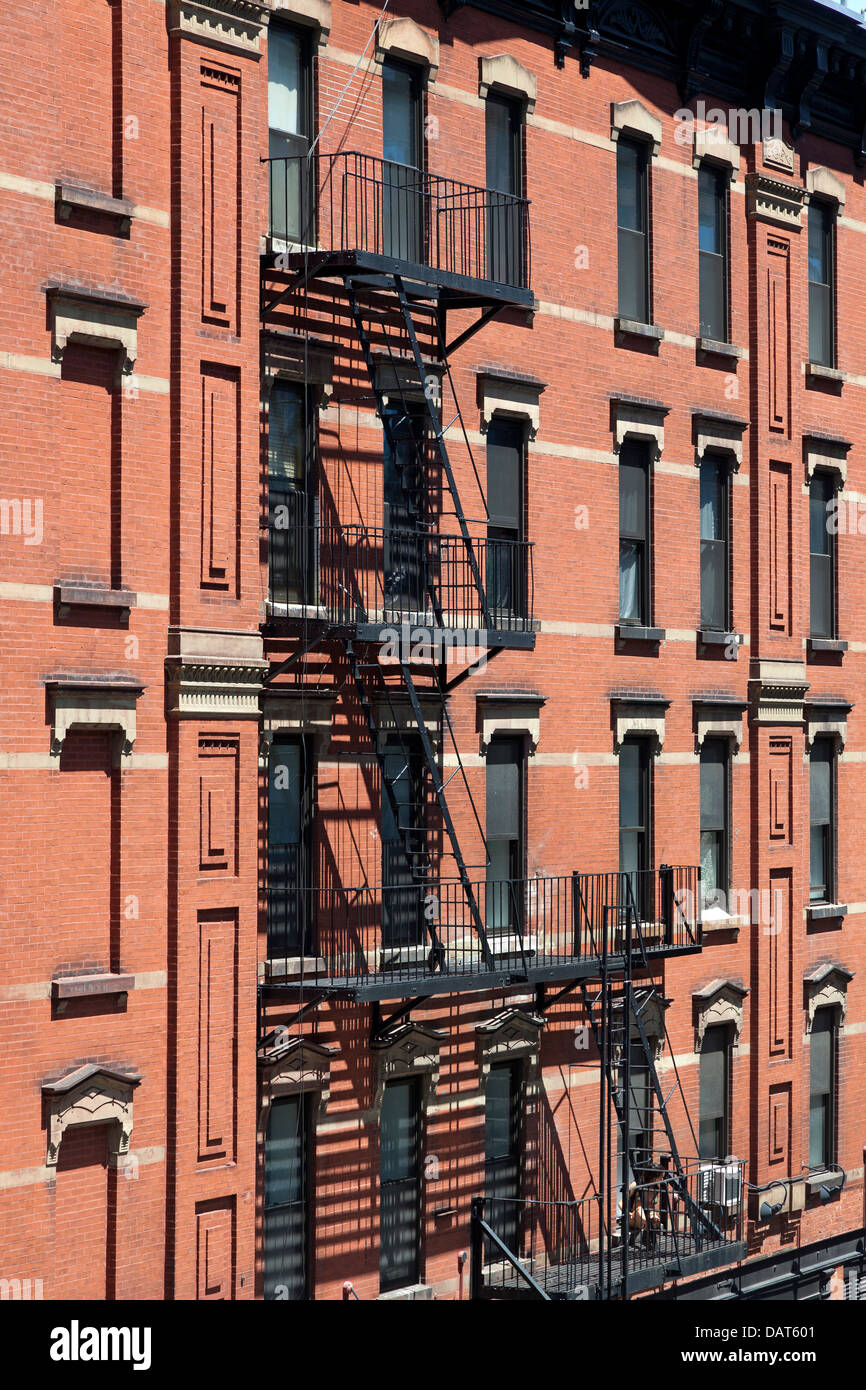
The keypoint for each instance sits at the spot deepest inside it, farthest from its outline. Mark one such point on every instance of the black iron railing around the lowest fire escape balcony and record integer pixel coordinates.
(675, 1223)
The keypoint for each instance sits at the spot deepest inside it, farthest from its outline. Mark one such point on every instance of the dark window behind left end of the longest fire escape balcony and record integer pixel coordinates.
(290, 849)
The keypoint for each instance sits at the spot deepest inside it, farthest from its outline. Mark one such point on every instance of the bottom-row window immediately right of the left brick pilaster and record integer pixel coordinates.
(288, 1167)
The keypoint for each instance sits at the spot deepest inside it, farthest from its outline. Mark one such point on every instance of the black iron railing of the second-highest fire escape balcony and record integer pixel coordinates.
(362, 575)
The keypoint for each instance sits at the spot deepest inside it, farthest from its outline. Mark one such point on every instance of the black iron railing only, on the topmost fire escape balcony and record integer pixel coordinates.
(352, 202)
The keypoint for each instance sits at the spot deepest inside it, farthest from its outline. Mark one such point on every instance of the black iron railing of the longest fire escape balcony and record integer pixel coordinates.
(405, 932)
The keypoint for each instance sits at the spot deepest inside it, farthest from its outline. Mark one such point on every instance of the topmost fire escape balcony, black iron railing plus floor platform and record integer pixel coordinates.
(351, 213)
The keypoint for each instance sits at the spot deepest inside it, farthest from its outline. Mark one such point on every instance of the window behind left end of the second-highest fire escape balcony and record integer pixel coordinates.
(291, 496)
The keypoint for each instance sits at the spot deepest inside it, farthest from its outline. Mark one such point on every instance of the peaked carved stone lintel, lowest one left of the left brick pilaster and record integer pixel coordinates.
(91, 1096)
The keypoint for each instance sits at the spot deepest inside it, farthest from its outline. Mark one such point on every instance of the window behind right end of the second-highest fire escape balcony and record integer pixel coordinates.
(505, 553)
